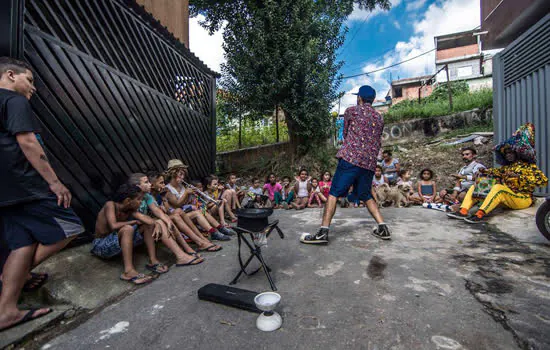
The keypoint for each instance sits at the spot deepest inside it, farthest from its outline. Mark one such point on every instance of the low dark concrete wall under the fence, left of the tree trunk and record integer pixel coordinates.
(235, 161)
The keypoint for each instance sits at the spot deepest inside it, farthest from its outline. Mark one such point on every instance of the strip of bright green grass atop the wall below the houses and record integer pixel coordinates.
(437, 104)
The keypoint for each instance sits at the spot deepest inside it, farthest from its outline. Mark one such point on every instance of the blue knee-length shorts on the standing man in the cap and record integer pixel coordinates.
(347, 175)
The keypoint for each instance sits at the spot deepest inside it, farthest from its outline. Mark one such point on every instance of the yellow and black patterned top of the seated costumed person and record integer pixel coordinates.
(529, 177)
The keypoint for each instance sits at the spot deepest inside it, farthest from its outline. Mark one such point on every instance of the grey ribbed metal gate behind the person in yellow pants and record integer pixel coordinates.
(521, 76)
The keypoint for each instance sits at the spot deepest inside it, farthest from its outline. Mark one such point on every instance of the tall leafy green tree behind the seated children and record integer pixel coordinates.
(283, 53)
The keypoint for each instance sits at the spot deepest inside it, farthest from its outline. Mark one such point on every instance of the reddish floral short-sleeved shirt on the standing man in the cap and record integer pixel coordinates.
(363, 128)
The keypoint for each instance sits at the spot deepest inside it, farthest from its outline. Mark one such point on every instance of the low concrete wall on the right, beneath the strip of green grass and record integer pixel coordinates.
(429, 127)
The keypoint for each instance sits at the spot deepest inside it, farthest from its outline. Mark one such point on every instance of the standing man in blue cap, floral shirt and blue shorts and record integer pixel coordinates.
(363, 128)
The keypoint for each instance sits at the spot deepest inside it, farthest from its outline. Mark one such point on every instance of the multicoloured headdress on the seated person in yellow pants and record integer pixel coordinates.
(522, 142)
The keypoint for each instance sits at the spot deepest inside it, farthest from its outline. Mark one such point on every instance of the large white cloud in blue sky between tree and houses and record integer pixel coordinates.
(440, 18)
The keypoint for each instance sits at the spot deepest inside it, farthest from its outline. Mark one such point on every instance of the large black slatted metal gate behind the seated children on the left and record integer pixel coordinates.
(116, 94)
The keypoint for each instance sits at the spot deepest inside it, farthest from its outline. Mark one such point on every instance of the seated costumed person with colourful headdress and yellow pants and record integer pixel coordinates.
(518, 177)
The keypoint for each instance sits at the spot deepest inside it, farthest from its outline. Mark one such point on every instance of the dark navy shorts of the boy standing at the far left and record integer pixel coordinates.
(40, 221)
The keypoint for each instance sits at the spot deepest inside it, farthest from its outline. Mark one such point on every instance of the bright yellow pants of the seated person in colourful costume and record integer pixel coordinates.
(499, 194)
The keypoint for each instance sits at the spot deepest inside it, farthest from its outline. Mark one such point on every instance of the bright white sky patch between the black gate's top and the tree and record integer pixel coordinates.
(206, 47)
